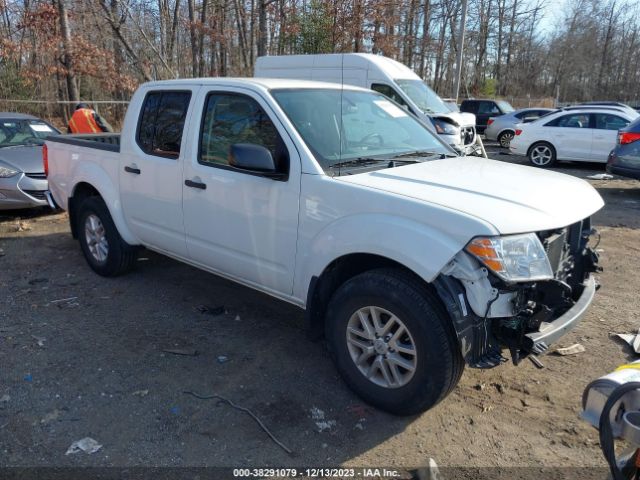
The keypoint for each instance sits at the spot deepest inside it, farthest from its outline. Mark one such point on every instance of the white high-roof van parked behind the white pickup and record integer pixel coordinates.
(383, 75)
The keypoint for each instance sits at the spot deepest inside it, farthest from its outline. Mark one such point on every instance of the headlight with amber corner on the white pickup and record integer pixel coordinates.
(514, 258)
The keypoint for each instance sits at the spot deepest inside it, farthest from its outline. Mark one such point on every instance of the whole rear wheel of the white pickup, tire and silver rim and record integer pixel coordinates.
(103, 247)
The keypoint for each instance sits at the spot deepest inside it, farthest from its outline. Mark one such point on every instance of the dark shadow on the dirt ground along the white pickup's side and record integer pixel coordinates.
(114, 356)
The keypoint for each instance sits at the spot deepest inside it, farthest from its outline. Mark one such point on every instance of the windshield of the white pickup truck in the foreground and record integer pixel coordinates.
(343, 125)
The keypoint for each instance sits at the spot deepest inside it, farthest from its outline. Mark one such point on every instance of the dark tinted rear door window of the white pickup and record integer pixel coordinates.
(162, 123)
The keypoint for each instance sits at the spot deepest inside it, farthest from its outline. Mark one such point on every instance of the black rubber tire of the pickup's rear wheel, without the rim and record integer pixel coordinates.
(120, 257)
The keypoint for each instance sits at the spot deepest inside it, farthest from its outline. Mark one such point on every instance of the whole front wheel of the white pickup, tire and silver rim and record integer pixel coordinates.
(393, 342)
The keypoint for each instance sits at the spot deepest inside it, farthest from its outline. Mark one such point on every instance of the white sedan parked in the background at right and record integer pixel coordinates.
(586, 135)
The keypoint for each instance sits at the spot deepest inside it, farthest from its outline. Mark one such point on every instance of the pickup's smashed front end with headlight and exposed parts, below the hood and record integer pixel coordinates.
(522, 296)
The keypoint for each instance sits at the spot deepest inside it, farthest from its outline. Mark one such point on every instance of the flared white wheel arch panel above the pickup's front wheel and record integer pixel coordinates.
(421, 248)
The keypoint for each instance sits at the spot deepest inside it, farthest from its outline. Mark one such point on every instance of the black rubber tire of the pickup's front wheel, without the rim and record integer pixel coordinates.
(439, 362)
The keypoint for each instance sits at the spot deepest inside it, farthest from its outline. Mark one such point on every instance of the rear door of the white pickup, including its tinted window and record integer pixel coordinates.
(151, 171)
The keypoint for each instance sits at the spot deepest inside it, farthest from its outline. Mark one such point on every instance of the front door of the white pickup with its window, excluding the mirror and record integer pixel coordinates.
(239, 223)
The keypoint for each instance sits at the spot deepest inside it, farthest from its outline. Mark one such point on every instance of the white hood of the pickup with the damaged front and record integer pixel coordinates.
(512, 198)
